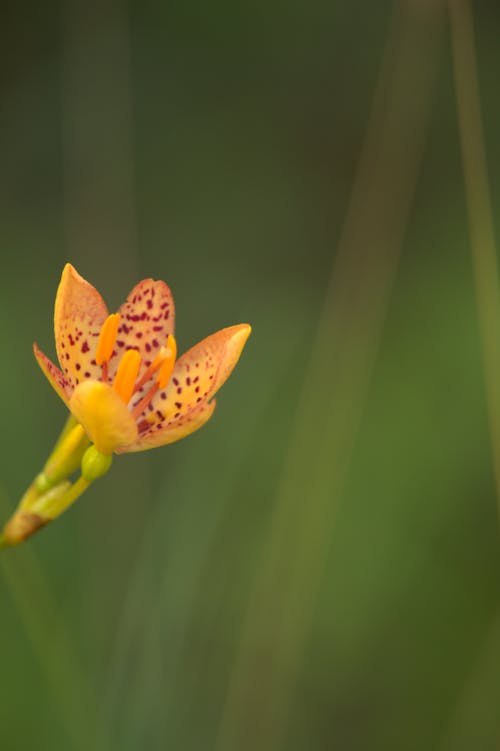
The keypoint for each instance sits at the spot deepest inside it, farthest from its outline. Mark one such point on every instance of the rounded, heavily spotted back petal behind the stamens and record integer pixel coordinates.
(147, 317)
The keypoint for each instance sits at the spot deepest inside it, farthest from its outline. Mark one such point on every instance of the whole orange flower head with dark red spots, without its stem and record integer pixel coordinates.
(119, 376)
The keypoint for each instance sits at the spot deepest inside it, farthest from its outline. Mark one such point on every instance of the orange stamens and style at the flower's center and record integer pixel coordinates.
(125, 382)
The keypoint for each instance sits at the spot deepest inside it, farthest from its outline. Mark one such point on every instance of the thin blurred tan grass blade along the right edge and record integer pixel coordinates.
(480, 213)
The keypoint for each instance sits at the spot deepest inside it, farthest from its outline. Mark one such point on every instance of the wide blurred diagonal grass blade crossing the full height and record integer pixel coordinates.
(261, 690)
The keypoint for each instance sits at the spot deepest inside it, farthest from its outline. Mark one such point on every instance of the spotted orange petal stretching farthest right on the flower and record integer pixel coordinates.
(197, 376)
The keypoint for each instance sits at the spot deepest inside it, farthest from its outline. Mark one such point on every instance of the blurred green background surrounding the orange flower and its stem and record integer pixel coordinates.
(318, 568)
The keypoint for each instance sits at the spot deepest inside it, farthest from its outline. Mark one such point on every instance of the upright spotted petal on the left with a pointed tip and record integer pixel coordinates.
(79, 314)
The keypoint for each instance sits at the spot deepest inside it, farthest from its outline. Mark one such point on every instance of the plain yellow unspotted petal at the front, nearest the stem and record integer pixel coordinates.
(105, 417)
